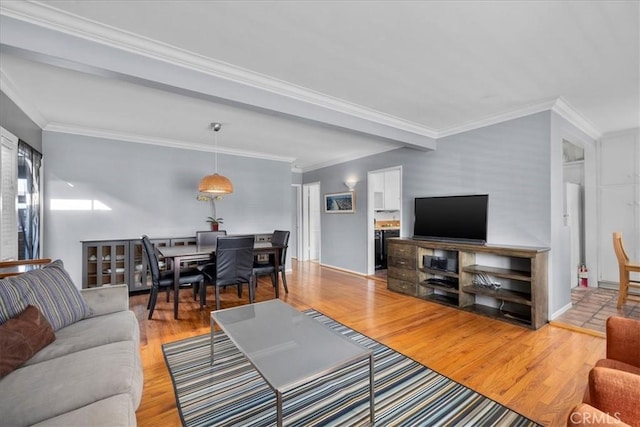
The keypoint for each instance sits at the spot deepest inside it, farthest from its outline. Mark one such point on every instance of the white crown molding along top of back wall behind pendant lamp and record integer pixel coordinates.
(163, 142)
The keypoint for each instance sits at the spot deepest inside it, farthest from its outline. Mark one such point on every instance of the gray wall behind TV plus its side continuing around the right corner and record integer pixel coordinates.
(518, 163)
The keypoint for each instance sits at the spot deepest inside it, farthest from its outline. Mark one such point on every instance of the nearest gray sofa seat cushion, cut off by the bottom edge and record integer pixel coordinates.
(116, 411)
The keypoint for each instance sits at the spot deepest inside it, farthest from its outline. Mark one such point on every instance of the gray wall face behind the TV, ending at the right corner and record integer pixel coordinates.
(509, 161)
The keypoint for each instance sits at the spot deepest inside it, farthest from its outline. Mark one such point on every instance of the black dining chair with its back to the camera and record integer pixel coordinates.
(234, 266)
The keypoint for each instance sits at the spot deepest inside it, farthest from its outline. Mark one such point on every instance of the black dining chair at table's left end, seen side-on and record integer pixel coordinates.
(164, 279)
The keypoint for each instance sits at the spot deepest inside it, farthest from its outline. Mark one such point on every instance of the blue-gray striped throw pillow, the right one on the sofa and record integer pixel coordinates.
(53, 292)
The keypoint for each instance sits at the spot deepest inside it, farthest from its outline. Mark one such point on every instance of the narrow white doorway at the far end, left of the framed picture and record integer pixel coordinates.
(310, 250)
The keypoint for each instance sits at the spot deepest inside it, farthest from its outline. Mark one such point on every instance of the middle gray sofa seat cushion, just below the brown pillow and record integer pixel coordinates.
(37, 392)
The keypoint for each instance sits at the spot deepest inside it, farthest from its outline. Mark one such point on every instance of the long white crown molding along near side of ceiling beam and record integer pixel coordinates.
(55, 19)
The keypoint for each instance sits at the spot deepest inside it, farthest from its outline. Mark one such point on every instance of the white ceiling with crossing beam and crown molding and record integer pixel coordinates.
(331, 81)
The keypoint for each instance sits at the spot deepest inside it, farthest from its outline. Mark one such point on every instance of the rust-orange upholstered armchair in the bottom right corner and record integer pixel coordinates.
(613, 394)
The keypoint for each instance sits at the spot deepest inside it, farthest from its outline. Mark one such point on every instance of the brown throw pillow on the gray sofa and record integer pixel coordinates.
(22, 337)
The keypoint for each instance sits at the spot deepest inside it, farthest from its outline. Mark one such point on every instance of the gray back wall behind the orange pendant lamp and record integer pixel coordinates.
(151, 190)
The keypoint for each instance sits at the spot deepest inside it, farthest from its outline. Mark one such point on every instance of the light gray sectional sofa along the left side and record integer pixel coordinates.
(91, 374)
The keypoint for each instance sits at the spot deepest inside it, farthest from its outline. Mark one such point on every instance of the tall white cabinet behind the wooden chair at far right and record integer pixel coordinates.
(618, 200)
